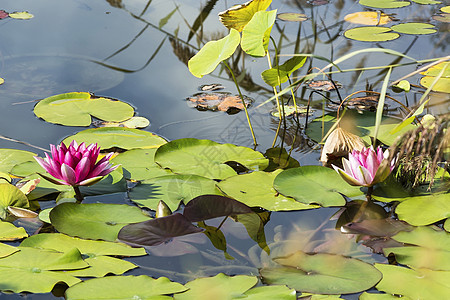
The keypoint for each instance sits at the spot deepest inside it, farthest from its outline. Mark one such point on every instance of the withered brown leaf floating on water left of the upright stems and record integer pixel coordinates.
(218, 101)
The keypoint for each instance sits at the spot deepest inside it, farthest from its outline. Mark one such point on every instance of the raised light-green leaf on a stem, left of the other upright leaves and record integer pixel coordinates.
(212, 53)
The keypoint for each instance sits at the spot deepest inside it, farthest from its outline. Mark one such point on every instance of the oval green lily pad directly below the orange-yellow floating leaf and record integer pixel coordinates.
(371, 34)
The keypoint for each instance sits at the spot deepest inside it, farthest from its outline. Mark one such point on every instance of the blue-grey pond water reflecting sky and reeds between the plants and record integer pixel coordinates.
(119, 49)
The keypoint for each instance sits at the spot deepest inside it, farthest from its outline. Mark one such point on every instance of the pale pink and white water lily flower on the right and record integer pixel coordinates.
(366, 167)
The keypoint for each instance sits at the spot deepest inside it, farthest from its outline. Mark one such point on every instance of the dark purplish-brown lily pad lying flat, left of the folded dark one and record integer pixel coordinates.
(157, 231)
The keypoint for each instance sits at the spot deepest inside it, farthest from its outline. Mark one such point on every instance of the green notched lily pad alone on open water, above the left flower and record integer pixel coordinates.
(76, 109)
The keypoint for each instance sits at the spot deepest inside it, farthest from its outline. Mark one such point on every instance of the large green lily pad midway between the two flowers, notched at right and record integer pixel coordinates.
(207, 158)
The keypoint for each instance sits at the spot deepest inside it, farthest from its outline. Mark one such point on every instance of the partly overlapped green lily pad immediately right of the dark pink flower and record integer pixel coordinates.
(139, 164)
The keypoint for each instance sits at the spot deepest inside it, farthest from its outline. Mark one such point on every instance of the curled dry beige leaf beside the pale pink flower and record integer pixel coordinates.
(339, 143)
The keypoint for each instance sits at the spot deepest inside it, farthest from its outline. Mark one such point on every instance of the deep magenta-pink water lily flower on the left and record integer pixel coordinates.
(76, 165)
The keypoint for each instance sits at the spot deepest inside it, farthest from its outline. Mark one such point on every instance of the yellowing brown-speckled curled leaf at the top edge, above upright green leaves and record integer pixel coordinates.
(239, 15)
